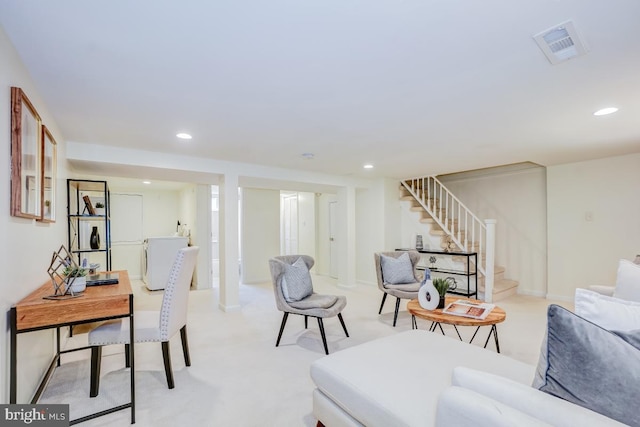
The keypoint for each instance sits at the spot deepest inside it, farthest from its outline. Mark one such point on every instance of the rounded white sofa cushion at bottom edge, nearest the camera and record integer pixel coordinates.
(461, 407)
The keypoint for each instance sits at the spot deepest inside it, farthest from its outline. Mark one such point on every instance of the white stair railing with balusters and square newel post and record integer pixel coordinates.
(466, 230)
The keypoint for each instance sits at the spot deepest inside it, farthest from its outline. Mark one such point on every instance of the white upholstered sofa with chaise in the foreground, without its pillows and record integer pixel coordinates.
(420, 378)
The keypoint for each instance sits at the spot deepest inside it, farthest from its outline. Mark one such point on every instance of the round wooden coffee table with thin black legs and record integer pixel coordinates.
(437, 318)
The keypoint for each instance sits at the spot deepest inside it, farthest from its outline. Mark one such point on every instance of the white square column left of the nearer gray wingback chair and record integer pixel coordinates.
(229, 236)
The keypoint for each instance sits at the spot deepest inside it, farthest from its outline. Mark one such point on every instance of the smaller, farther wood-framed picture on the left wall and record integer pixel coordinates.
(49, 176)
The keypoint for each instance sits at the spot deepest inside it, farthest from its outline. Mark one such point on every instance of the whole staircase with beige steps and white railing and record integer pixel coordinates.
(459, 230)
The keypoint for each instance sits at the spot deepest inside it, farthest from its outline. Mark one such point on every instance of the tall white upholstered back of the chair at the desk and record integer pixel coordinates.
(173, 314)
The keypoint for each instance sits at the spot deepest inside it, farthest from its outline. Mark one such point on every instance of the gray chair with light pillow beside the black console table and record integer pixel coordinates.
(397, 276)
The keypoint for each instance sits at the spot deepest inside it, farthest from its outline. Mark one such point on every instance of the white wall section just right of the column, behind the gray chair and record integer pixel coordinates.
(260, 233)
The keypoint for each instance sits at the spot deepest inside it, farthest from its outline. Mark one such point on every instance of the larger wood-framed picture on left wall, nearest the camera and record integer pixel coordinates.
(26, 171)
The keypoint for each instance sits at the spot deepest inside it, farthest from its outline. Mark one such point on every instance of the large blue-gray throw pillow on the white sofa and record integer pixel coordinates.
(592, 367)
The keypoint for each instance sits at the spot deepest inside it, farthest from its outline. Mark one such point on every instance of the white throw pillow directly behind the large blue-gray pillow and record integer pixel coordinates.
(610, 313)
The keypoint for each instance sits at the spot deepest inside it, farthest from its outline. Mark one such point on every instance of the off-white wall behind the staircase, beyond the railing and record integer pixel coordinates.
(517, 200)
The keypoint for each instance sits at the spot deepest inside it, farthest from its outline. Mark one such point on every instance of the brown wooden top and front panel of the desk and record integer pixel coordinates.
(96, 302)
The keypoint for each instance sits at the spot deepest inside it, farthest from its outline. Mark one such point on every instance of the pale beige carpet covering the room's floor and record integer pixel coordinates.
(238, 377)
